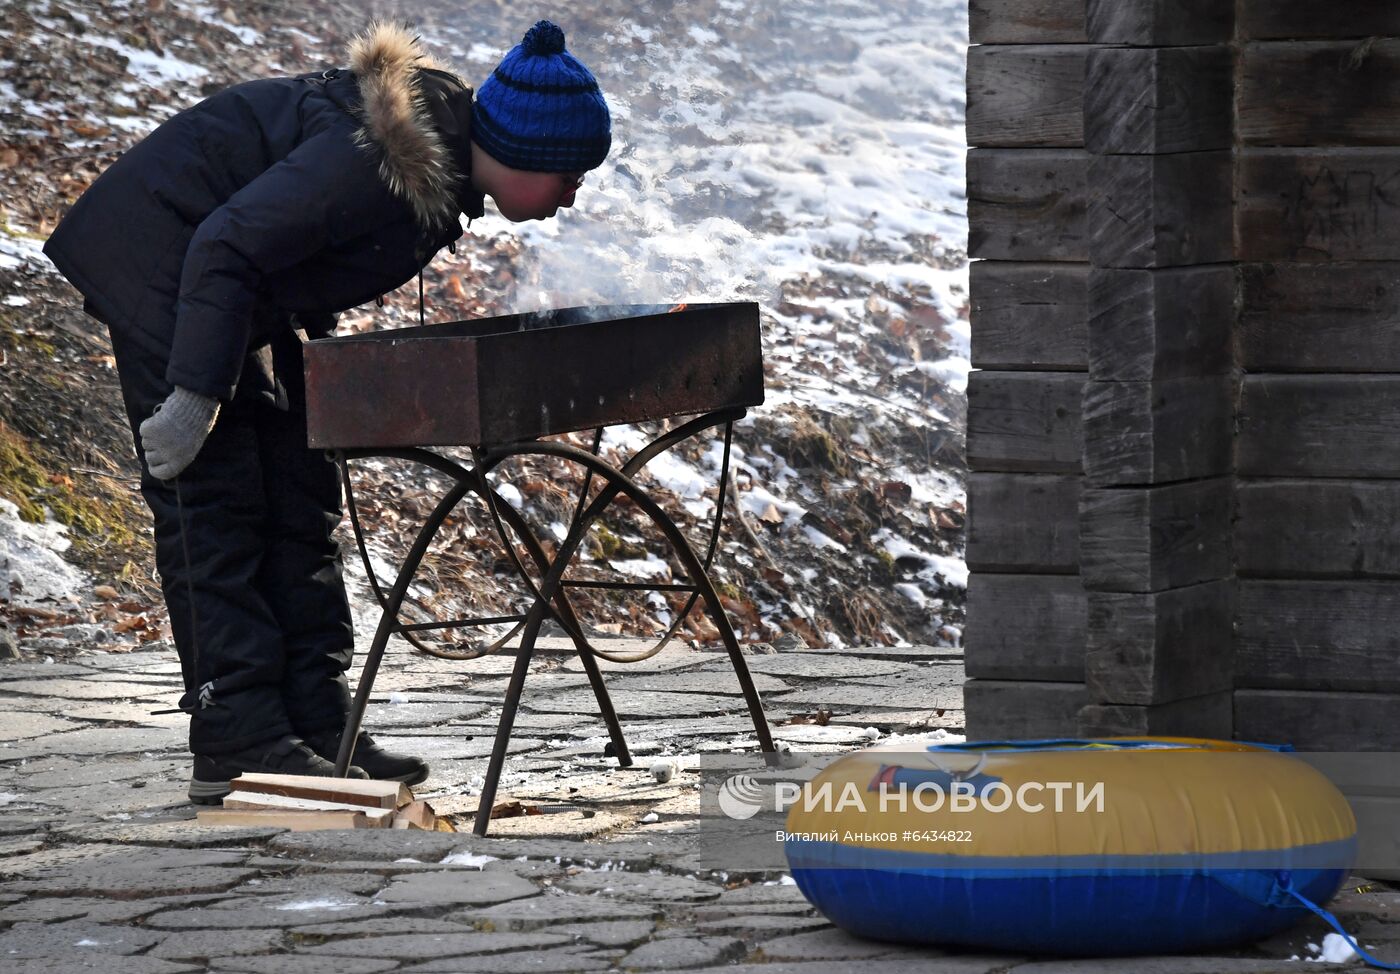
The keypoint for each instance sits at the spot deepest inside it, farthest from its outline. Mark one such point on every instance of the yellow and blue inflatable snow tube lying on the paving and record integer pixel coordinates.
(1121, 846)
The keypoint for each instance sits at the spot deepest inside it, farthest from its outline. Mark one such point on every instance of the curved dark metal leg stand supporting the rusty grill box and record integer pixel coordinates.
(551, 597)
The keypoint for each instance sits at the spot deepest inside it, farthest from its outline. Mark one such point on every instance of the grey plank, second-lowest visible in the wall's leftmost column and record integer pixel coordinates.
(1025, 628)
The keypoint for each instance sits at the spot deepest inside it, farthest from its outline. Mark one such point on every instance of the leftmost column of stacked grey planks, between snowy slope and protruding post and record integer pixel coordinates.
(1028, 201)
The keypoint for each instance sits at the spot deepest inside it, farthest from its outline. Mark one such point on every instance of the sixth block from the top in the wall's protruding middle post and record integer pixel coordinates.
(1156, 539)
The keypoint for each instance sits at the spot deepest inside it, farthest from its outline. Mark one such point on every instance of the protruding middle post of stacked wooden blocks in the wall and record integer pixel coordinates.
(1154, 527)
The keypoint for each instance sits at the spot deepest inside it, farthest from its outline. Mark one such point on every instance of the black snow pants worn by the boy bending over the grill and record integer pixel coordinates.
(248, 566)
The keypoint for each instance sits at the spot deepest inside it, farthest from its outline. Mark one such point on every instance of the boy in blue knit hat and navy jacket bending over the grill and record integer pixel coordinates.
(269, 208)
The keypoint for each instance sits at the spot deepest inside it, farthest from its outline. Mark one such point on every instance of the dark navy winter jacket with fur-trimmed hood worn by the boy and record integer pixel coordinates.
(272, 199)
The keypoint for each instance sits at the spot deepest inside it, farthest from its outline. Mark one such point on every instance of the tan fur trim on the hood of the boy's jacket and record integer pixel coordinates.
(415, 162)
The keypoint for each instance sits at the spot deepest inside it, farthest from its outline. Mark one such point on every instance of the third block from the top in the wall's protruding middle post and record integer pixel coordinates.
(1161, 211)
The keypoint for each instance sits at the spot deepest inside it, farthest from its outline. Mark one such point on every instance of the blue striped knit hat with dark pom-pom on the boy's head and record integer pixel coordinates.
(541, 110)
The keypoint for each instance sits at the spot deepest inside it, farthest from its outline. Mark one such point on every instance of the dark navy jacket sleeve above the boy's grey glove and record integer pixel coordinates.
(323, 192)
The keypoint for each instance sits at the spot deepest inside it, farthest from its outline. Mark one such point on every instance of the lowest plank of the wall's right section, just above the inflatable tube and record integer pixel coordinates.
(1324, 720)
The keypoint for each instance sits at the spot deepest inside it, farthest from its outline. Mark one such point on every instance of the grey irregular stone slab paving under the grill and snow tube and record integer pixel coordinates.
(104, 868)
